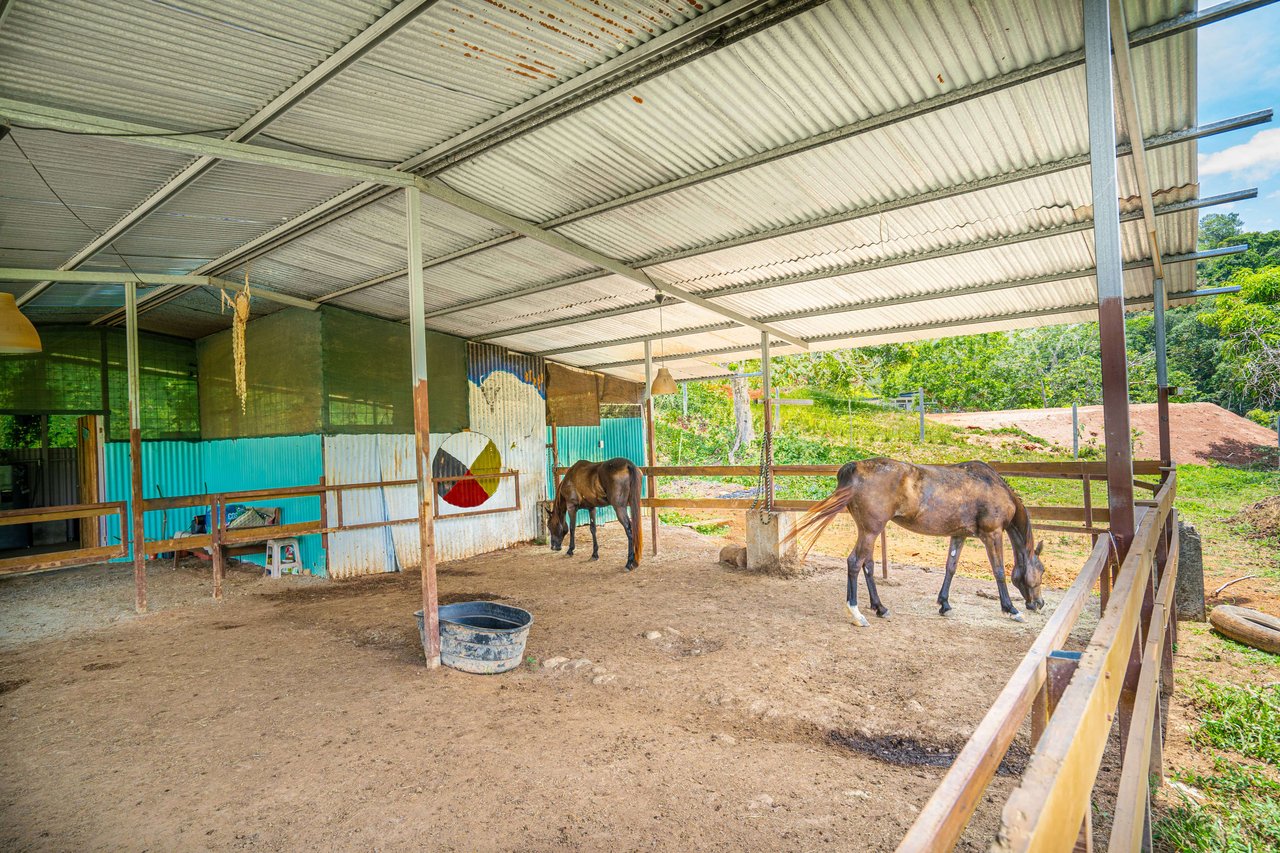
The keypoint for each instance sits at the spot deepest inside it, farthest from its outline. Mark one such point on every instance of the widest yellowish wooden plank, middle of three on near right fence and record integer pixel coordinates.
(1055, 790)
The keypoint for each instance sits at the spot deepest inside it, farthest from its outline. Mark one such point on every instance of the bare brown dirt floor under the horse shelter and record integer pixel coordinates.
(700, 708)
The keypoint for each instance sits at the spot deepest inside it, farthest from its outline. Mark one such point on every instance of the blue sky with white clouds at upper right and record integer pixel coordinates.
(1240, 72)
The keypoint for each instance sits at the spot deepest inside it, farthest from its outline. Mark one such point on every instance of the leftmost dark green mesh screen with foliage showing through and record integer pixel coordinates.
(83, 371)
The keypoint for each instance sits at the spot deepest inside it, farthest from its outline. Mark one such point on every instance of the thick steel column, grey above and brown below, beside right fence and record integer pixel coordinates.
(1110, 270)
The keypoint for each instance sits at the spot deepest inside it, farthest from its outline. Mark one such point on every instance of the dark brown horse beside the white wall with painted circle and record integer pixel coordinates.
(589, 486)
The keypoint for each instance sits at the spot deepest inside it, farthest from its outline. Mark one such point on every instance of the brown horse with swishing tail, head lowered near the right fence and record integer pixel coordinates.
(957, 501)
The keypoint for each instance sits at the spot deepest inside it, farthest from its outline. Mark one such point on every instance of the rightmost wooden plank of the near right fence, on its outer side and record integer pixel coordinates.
(1131, 815)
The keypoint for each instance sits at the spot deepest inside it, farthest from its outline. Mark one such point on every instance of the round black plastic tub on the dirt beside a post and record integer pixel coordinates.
(482, 636)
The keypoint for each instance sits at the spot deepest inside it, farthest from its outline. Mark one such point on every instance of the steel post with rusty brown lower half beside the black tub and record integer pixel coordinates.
(422, 428)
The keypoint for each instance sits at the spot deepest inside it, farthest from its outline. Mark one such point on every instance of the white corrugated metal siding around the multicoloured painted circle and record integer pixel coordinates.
(508, 404)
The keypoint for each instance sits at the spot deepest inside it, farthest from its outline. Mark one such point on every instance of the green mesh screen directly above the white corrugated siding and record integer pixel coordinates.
(368, 375)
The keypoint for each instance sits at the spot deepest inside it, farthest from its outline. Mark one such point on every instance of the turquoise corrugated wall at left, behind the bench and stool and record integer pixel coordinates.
(172, 469)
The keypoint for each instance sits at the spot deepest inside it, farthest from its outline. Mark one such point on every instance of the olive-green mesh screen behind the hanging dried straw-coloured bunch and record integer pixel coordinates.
(284, 373)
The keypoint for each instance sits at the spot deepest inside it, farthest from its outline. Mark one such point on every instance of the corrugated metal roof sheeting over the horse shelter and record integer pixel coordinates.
(660, 175)
